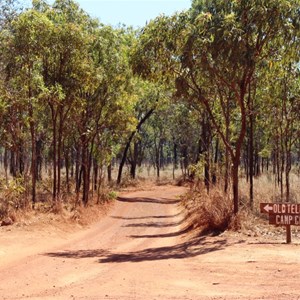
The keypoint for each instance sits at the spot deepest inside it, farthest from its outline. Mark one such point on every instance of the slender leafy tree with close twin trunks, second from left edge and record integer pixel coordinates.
(65, 64)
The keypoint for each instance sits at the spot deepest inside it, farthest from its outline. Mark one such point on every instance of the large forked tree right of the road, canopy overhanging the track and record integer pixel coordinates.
(213, 51)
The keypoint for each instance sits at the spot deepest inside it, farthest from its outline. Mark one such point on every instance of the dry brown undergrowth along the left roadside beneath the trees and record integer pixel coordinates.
(16, 205)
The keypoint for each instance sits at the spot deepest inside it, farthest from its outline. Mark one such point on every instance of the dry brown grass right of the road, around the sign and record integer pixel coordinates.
(213, 212)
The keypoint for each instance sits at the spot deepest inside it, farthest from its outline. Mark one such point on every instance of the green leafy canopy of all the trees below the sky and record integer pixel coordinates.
(78, 89)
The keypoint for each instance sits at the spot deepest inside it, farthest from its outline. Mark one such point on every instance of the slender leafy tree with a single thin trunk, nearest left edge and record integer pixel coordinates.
(28, 42)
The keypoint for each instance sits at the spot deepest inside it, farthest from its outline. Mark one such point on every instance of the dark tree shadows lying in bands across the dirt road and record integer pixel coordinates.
(192, 247)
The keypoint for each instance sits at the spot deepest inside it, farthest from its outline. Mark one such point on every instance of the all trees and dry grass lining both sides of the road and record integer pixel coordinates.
(211, 94)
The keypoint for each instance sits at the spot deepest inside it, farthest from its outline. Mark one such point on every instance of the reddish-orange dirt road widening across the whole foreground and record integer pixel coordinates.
(140, 250)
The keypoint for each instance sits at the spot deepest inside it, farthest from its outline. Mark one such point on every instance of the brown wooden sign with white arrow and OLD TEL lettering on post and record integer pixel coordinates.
(282, 214)
